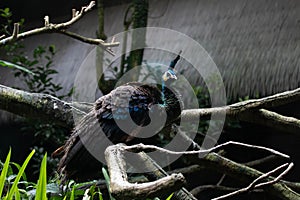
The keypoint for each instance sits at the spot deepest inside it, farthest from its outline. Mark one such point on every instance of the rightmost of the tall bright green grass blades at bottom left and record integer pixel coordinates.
(41, 189)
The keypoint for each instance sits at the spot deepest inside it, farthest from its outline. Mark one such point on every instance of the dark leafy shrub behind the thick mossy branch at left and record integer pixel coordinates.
(38, 73)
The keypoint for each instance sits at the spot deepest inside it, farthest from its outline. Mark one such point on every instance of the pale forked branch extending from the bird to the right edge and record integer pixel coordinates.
(254, 111)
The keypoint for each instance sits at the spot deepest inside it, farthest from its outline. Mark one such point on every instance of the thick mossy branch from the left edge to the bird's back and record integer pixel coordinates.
(39, 106)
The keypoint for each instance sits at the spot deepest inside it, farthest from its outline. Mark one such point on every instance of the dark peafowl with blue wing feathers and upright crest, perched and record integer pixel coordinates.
(132, 102)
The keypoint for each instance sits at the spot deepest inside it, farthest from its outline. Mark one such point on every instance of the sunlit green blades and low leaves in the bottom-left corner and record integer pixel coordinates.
(15, 185)
